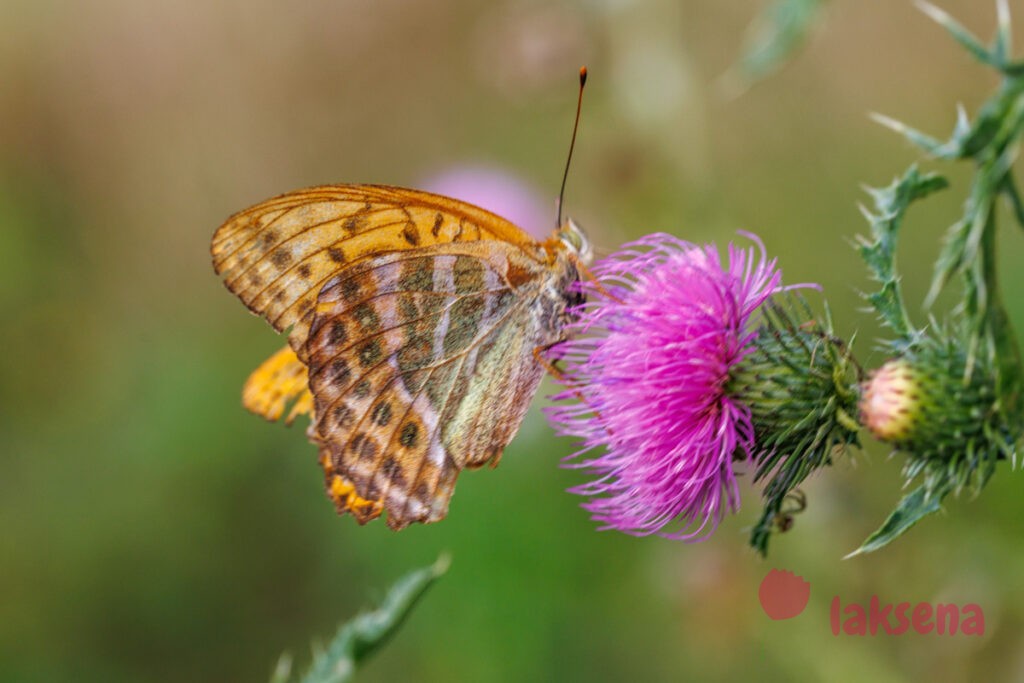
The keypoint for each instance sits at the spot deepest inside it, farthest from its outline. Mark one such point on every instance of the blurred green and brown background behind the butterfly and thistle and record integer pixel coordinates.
(154, 531)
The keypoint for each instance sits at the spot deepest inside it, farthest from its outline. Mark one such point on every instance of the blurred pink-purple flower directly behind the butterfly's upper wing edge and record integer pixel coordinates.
(499, 192)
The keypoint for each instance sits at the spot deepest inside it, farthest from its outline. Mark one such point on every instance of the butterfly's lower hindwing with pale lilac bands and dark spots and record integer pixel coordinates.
(411, 370)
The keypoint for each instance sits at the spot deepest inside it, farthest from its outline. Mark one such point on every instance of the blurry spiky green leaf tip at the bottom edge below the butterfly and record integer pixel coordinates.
(363, 635)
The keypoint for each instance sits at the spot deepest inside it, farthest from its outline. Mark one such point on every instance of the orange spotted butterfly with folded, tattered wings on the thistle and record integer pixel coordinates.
(415, 324)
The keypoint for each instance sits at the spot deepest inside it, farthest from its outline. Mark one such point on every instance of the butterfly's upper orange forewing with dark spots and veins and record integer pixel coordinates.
(278, 255)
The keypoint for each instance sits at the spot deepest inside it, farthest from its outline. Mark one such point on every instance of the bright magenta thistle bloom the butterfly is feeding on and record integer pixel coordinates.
(648, 381)
